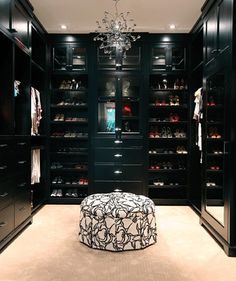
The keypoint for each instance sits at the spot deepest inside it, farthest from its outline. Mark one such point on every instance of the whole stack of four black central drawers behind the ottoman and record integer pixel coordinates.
(118, 164)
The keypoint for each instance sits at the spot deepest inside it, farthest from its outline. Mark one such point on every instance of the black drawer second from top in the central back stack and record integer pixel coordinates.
(124, 155)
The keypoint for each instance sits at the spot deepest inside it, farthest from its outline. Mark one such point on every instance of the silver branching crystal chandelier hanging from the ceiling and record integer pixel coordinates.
(115, 32)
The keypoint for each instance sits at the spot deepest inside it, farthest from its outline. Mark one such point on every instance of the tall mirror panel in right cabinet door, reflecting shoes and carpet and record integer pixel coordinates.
(215, 171)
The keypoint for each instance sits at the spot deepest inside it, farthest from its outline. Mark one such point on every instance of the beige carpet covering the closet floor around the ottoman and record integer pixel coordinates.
(49, 250)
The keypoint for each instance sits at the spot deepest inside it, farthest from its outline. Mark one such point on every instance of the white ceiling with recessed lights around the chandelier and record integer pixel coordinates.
(153, 16)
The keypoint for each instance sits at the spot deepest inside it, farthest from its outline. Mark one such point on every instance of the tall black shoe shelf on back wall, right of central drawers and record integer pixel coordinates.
(168, 137)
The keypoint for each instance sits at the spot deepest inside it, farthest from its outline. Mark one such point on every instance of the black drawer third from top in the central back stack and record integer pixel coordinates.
(118, 172)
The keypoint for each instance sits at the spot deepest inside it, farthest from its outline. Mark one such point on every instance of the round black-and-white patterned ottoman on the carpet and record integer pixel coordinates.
(117, 221)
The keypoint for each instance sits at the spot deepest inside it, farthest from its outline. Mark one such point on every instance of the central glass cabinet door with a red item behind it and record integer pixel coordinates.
(130, 92)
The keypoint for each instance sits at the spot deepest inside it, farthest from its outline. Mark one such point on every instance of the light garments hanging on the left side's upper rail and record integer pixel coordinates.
(36, 111)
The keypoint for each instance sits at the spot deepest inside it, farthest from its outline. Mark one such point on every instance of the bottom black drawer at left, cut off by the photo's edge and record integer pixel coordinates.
(6, 221)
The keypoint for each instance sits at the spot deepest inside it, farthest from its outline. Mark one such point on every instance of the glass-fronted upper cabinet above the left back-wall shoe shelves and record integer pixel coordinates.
(69, 57)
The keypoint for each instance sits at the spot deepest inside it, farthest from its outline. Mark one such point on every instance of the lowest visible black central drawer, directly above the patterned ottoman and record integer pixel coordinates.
(123, 186)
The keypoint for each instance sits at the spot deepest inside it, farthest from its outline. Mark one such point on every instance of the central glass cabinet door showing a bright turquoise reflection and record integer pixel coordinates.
(107, 89)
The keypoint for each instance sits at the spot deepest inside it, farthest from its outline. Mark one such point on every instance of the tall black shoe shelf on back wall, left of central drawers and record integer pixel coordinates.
(69, 138)
